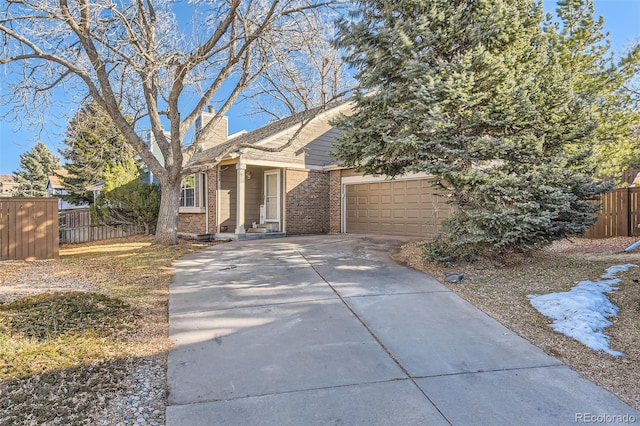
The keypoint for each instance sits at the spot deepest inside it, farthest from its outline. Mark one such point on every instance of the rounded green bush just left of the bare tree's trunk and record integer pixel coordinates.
(125, 200)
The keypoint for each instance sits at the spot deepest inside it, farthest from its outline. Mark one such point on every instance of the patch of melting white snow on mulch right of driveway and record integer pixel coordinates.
(582, 312)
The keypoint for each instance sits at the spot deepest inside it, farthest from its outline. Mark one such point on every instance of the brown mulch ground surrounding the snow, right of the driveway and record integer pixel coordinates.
(500, 288)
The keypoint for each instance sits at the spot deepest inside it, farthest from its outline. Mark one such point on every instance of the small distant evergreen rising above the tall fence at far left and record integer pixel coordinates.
(36, 166)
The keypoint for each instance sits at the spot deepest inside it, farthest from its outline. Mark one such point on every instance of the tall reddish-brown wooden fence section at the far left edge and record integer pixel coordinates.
(28, 228)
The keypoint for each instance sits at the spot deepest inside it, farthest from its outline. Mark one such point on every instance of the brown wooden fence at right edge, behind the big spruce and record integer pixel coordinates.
(619, 215)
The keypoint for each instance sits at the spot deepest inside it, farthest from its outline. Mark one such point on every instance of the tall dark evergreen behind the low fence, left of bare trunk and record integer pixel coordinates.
(93, 144)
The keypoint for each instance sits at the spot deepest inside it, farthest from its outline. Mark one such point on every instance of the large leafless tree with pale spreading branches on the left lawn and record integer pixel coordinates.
(147, 67)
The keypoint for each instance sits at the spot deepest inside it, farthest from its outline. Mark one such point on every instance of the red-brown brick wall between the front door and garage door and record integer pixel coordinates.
(307, 201)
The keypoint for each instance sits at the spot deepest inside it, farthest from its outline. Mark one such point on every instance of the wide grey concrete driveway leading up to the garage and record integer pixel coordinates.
(328, 330)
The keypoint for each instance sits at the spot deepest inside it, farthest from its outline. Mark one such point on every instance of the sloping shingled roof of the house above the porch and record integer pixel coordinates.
(260, 135)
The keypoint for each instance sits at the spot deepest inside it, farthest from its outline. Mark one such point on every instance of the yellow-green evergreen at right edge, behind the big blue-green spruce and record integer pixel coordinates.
(601, 84)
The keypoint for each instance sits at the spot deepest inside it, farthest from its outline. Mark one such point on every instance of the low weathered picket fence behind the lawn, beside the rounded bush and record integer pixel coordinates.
(76, 227)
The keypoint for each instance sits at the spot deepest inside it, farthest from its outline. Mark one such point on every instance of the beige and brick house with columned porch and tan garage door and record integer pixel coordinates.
(302, 189)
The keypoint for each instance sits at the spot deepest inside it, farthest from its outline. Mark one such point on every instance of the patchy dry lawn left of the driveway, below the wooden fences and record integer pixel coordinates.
(72, 330)
